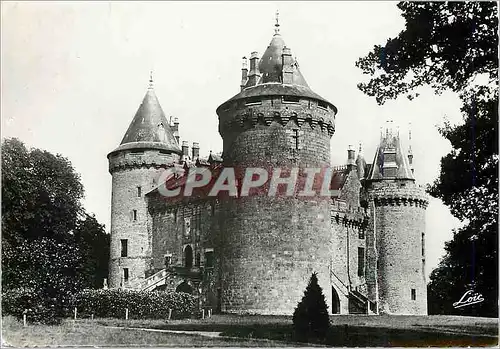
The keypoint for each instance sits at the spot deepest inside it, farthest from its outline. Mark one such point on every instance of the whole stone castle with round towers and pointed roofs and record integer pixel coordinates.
(255, 254)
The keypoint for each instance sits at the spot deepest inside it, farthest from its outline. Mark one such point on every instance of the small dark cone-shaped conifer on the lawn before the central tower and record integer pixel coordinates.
(310, 318)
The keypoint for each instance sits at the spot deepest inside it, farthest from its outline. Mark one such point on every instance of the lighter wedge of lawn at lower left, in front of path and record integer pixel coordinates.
(87, 332)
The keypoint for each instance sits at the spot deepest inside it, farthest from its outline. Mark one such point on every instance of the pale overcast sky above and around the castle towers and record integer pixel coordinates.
(74, 74)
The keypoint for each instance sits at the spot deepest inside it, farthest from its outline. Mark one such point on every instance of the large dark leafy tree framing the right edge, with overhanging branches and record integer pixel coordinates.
(454, 46)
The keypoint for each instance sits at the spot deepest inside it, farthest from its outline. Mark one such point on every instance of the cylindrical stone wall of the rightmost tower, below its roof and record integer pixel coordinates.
(399, 219)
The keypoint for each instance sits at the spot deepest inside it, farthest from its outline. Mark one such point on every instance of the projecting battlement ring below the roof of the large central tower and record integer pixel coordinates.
(245, 114)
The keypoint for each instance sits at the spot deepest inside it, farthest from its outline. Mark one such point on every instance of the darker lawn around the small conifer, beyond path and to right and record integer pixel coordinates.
(350, 331)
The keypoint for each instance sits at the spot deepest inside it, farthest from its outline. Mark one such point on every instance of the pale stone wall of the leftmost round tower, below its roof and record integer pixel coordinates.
(131, 170)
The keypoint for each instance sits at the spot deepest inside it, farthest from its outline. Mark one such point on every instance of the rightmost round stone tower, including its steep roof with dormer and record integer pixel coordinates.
(397, 206)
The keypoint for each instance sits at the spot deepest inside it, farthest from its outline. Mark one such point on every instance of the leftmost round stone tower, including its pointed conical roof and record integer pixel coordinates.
(148, 146)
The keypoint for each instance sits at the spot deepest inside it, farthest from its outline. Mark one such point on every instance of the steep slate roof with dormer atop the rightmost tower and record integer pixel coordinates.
(390, 154)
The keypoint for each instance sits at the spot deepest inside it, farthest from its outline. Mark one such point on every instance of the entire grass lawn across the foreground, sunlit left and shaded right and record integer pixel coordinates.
(262, 331)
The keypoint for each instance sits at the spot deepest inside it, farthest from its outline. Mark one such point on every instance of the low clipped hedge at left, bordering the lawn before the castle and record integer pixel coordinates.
(109, 303)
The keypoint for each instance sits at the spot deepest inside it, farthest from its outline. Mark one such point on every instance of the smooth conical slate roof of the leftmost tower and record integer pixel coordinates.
(149, 128)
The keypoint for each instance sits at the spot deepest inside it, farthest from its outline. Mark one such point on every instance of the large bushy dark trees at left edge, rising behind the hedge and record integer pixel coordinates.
(50, 246)
